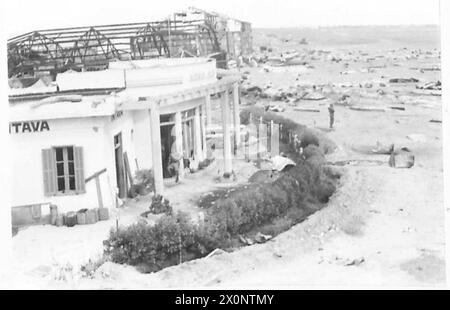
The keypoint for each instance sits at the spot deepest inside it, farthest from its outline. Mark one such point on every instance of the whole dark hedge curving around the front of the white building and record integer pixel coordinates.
(270, 207)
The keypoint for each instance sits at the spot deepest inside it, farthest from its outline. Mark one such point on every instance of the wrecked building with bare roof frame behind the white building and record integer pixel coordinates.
(189, 33)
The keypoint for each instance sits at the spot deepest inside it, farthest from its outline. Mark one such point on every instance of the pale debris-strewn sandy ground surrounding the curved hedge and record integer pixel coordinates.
(383, 227)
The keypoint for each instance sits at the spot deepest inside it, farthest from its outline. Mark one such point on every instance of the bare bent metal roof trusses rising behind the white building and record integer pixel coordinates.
(91, 48)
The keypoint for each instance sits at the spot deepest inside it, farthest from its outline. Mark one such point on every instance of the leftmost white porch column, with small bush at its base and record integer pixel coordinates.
(156, 149)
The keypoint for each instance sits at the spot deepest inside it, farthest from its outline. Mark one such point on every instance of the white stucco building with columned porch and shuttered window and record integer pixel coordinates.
(78, 143)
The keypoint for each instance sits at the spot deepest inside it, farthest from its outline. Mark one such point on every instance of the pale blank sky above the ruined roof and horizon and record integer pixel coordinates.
(20, 16)
